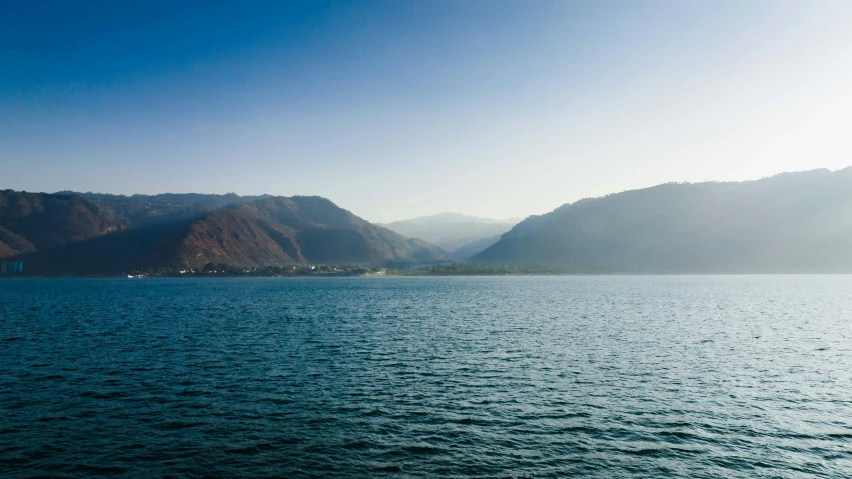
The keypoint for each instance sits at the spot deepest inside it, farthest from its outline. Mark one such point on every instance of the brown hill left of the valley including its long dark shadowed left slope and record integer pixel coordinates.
(265, 232)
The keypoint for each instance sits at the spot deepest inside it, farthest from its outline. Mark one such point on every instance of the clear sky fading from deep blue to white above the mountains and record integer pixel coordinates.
(405, 108)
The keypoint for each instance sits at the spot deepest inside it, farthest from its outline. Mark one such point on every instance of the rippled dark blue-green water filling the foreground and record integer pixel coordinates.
(645, 377)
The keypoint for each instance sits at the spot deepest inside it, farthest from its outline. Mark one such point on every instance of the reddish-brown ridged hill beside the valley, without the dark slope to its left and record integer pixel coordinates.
(297, 230)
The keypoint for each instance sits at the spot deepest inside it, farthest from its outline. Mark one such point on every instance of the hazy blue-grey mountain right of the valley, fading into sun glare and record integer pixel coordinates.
(793, 222)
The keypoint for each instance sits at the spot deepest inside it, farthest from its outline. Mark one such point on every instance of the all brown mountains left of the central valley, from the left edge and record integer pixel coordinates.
(107, 234)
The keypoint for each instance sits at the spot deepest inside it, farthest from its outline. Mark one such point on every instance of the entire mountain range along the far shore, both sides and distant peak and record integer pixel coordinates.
(793, 222)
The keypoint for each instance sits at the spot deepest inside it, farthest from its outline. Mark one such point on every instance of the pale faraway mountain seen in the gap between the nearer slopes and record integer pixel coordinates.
(452, 231)
